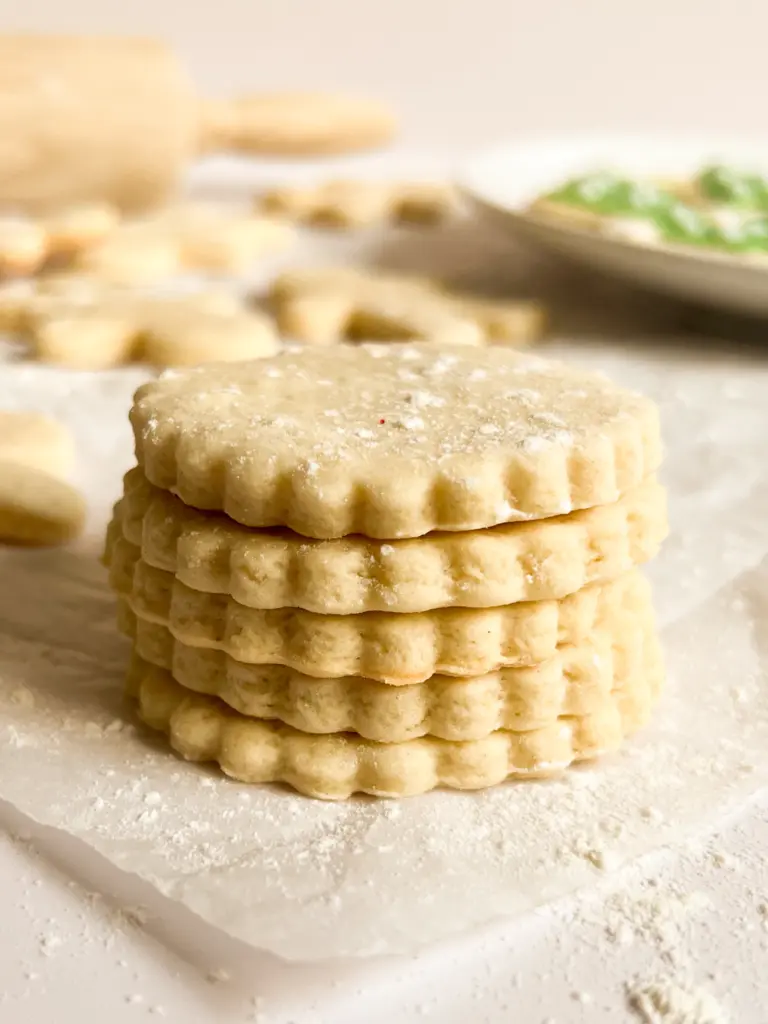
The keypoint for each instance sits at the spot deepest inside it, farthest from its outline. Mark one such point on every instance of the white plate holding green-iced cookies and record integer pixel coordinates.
(502, 183)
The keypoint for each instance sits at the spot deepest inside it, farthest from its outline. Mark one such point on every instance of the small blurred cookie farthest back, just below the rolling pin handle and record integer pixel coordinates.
(352, 204)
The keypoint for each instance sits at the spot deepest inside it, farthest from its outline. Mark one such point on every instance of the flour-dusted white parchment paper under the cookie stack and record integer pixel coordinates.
(309, 880)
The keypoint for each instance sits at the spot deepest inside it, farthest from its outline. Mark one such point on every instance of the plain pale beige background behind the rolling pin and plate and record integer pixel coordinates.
(467, 72)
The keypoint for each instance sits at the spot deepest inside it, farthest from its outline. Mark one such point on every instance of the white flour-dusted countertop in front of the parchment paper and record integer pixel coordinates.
(68, 955)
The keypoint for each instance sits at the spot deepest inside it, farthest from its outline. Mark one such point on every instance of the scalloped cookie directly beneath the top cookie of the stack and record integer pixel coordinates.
(276, 569)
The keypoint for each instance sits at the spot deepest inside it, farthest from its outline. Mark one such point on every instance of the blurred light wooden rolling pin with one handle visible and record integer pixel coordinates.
(119, 120)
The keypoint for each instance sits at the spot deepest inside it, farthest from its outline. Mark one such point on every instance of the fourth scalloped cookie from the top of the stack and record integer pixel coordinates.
(578, 680)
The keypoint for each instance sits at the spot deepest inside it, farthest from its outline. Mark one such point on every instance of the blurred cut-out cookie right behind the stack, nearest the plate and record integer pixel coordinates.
(326, 306)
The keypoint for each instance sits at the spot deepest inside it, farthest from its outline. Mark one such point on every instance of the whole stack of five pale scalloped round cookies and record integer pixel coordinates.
(387, 569)
